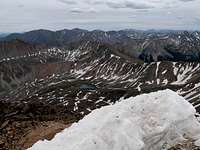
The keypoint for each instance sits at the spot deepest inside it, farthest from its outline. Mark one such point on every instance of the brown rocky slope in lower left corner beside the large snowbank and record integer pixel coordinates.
(21, 128)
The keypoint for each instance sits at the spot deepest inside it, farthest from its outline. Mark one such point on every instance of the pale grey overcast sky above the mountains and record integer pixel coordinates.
(24, 15)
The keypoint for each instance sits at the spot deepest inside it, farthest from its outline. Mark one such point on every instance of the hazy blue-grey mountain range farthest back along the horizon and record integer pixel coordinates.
(148, 46)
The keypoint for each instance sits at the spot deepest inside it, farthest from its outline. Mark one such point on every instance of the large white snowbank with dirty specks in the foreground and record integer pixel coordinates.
(147, 122)
